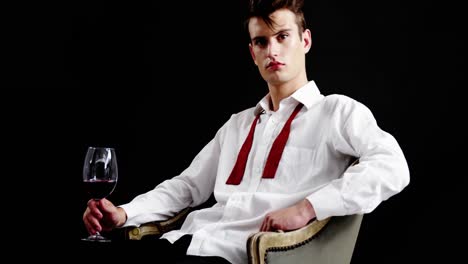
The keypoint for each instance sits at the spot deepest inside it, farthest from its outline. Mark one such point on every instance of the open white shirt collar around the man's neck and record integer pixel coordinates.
(308, 95)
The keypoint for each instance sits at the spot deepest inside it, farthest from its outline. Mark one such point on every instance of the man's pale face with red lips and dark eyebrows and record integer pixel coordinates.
(279, 52)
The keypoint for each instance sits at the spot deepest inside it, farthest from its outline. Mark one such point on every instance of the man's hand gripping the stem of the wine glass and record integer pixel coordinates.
(102, 215)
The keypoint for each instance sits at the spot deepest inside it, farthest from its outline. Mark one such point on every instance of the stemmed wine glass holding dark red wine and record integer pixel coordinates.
(100, 175)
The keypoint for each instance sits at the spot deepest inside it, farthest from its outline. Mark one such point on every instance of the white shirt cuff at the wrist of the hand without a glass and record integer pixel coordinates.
(327, 202)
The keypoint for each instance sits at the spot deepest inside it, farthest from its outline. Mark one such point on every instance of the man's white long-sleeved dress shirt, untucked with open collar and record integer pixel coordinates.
(326, 135)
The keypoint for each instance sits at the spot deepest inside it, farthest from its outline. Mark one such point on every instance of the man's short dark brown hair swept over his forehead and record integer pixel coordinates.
(264, 8)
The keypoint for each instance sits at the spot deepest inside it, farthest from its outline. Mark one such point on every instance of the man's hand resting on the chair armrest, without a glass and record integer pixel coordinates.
(290, 218)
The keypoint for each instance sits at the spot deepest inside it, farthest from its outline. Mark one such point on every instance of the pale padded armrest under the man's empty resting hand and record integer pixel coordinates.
(260, 243)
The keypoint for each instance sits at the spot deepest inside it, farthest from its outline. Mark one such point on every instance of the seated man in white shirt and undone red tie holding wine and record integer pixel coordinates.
(277, 165)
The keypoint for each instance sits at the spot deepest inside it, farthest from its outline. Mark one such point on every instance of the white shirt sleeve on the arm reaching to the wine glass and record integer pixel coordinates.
(191, 188)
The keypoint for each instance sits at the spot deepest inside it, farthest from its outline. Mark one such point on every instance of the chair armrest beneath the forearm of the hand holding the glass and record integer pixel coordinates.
(157, 227)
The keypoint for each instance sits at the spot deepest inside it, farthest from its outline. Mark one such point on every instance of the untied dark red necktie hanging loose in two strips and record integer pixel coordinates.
(273, 158)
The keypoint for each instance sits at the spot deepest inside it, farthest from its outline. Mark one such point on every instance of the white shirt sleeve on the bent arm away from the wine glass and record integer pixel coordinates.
(382, 170)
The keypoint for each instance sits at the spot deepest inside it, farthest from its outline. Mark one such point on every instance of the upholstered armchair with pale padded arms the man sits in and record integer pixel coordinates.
(328, 241)
